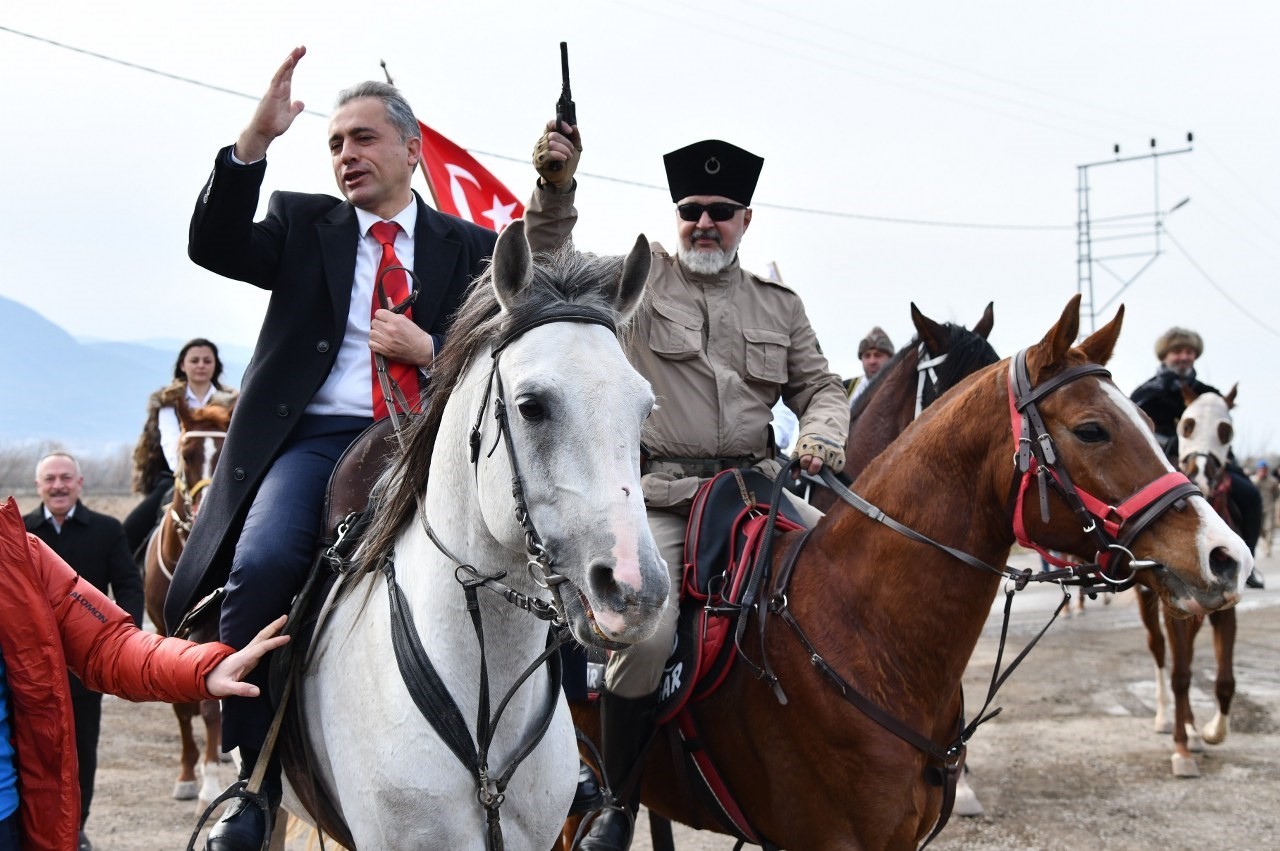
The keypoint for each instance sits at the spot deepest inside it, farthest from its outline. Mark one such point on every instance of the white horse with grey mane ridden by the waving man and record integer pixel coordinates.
(534, 351)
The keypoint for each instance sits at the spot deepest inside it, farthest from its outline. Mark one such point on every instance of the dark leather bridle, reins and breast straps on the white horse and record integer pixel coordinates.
(424, 684)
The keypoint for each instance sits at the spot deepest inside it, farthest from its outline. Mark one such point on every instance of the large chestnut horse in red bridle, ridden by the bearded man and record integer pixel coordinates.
(868, 619)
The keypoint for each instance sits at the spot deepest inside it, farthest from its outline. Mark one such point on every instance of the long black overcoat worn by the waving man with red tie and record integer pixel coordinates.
(305, 254)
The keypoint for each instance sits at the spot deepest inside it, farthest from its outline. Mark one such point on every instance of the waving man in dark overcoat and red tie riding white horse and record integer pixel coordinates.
(309, 391)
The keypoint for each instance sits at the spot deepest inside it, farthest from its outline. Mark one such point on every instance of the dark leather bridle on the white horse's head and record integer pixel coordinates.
(541, 561)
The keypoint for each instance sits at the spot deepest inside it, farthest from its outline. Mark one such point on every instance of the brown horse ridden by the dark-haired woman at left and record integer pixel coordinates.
(202, 443)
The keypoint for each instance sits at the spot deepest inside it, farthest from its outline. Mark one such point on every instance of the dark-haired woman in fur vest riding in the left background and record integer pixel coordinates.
(195, 385)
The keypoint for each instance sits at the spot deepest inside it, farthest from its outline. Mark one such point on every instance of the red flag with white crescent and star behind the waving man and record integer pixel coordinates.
(464, 187)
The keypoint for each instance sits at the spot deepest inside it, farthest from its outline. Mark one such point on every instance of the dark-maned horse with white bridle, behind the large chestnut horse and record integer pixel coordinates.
(922, 372)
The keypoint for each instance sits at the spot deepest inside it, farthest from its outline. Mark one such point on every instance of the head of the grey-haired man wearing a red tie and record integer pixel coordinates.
(371, 162)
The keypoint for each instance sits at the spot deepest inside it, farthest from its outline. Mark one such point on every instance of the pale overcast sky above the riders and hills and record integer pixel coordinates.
(915, 152)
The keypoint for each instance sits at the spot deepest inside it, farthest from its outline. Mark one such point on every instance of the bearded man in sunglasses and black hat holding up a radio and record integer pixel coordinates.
(720, 346)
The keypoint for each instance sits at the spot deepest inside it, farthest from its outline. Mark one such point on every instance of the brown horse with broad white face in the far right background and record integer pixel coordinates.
(1204, 443)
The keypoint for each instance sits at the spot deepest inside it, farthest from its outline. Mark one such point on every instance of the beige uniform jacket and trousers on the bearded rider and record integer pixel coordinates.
(719, 351)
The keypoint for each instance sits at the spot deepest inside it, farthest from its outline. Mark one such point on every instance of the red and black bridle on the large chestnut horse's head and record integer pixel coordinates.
(1112, 528)
